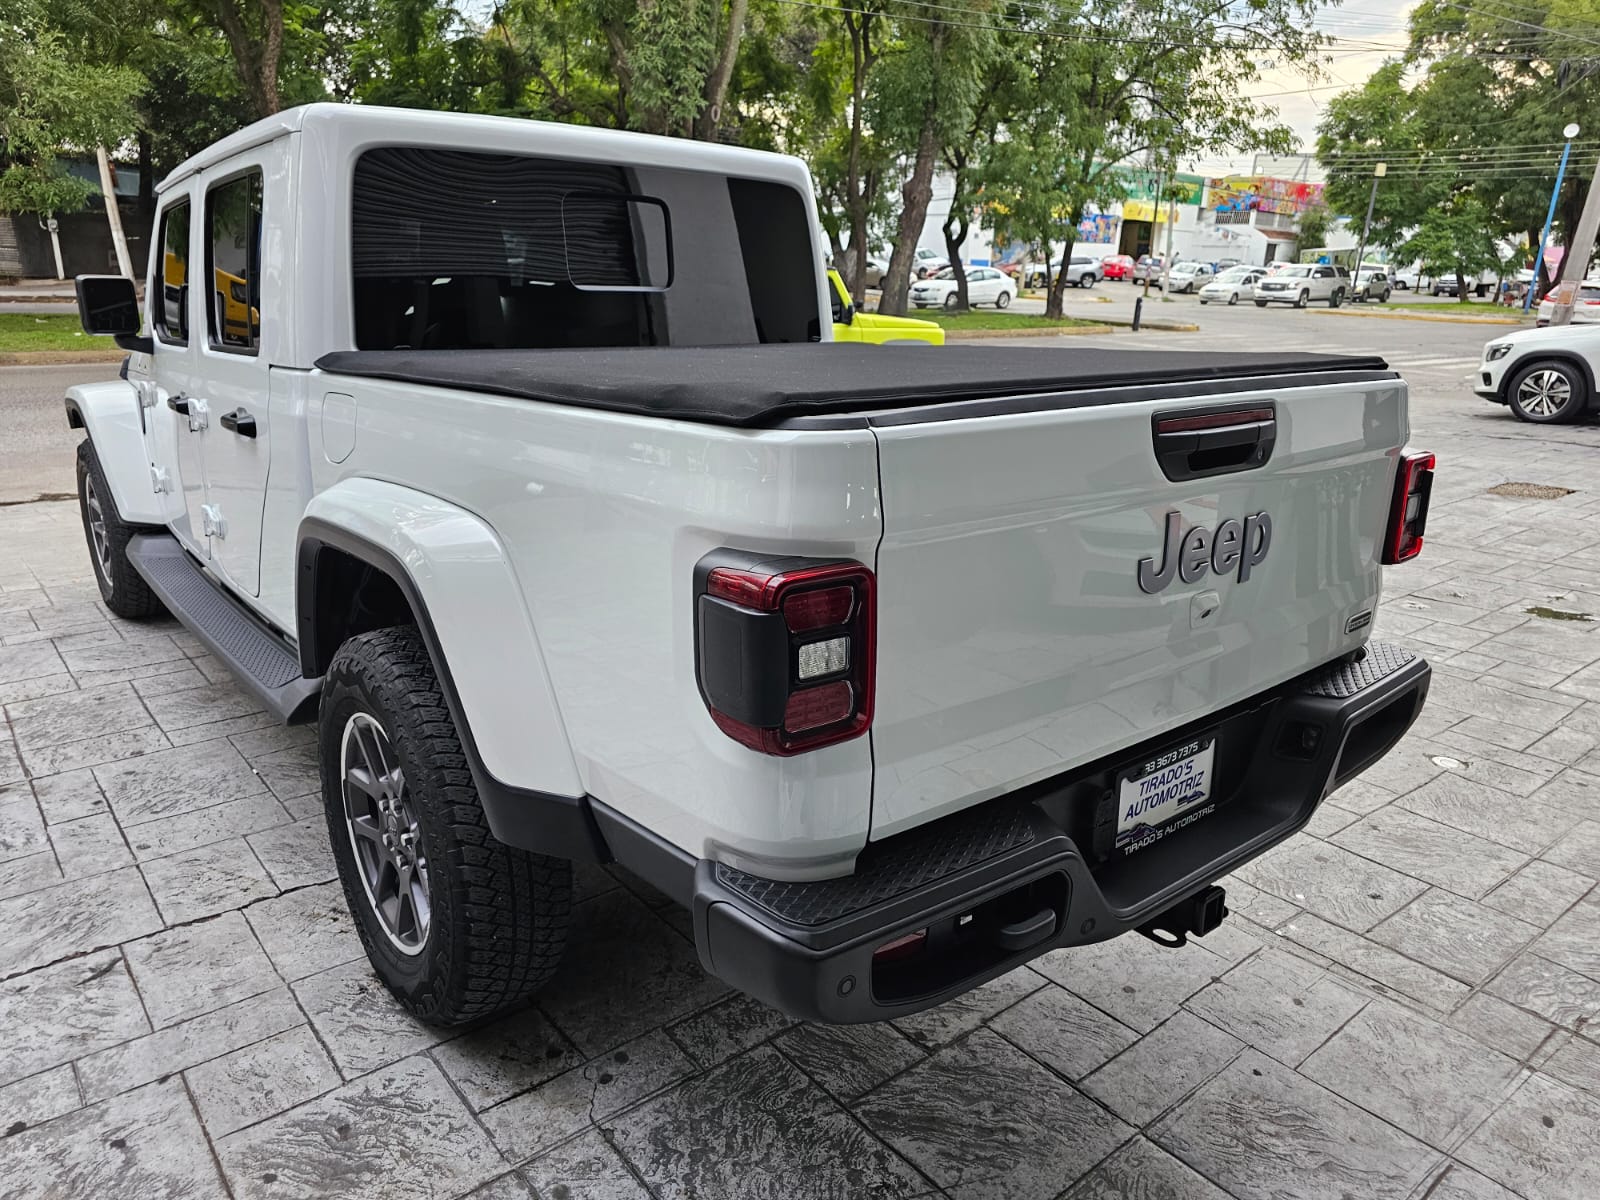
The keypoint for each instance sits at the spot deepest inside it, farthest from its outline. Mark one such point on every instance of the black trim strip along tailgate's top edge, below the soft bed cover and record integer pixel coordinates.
(1044, 402)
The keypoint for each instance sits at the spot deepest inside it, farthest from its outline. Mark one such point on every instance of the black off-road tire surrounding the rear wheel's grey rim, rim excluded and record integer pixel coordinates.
(500, 916)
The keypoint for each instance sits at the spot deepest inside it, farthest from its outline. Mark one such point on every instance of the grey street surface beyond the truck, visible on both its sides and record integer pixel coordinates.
(36, 455)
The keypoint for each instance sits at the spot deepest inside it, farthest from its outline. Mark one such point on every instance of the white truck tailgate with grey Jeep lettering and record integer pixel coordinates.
(1015, 636)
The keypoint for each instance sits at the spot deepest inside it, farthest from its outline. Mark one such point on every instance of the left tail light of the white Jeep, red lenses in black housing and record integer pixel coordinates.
(785, 650)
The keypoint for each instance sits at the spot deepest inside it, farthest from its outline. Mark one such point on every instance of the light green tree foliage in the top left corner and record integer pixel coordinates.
(54, 103)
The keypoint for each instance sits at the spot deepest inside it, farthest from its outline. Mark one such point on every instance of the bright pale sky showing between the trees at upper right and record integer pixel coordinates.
(1367, 31)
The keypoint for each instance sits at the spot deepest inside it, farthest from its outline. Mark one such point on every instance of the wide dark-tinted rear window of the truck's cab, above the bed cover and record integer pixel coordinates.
(470, 250)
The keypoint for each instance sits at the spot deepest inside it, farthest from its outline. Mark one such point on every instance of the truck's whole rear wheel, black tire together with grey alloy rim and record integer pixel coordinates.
(457, 924)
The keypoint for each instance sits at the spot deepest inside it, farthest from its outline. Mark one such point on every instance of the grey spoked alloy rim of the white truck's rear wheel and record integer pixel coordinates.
(385, 834)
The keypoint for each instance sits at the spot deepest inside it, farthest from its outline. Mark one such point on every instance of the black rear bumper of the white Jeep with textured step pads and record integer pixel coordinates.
(1033, 873)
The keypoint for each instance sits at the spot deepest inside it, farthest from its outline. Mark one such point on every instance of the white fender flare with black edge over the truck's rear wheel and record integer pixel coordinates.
(473, 615)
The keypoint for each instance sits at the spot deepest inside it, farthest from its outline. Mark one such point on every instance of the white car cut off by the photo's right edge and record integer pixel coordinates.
(1545, 377)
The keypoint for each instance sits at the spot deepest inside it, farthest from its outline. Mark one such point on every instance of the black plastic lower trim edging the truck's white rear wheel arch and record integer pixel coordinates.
(545, 823)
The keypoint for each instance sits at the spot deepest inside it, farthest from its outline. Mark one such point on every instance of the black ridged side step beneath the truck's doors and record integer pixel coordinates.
(263, 663)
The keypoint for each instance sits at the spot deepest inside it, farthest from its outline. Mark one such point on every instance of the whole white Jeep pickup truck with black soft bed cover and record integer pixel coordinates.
(519, 460)
